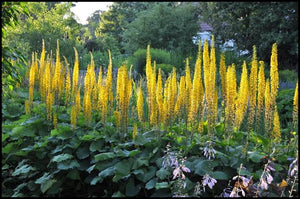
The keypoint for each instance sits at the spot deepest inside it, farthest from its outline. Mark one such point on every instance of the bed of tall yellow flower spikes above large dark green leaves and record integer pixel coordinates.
(105, 134)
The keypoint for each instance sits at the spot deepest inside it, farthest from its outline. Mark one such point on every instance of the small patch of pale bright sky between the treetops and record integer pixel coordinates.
(83, 10)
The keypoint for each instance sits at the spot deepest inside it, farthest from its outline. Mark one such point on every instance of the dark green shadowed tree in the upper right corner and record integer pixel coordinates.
(257, 23)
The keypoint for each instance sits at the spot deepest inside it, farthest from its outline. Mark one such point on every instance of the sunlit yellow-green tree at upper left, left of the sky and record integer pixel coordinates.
(48, 22)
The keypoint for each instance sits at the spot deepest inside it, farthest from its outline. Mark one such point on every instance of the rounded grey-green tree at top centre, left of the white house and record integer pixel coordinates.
(165, 26)
